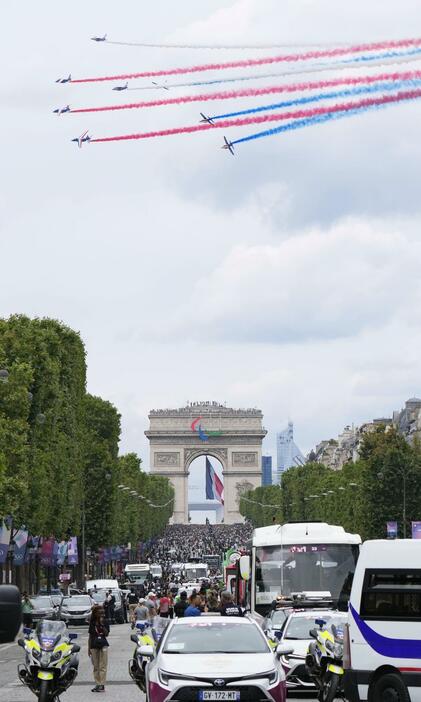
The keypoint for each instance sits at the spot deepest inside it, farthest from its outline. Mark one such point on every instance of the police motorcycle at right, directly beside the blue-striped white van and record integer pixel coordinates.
(324, 660)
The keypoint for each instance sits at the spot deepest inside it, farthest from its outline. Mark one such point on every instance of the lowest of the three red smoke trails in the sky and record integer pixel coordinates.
(298, 114)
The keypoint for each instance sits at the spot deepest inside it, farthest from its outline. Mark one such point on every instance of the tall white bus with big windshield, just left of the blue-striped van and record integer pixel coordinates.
(306, 557)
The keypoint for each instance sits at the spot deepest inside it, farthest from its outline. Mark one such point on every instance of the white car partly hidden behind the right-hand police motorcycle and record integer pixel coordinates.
(296, 636)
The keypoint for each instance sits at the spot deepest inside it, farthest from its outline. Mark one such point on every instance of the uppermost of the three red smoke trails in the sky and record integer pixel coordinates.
(324, 53)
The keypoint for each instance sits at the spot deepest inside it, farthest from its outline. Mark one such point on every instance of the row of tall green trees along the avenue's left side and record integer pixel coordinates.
(59, 462)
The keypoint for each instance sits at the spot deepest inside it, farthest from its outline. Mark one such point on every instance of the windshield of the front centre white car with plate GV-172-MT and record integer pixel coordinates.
(203, 636)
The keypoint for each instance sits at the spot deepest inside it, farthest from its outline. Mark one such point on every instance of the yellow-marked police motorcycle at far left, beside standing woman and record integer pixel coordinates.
(51, 660)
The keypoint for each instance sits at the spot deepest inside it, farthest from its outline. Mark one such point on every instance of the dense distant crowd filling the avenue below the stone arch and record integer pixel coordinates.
(181, 542)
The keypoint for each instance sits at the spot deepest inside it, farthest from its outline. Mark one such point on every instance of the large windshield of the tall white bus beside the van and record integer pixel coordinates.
(324, 568)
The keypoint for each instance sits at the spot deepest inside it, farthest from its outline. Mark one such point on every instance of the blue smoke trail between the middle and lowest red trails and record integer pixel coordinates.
(349, 92)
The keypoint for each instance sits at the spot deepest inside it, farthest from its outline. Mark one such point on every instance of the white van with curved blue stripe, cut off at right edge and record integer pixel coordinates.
(382, 649)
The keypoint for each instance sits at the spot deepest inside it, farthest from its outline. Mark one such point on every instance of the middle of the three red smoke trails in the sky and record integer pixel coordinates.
(256, 92)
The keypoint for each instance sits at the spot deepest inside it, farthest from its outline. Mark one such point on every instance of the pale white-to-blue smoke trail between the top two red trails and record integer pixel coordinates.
(374, 59)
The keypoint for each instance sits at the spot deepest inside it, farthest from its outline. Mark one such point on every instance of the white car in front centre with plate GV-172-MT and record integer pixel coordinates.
(214, 658)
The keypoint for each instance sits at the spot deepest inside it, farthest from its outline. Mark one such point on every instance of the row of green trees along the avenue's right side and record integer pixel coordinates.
(383, 485)
